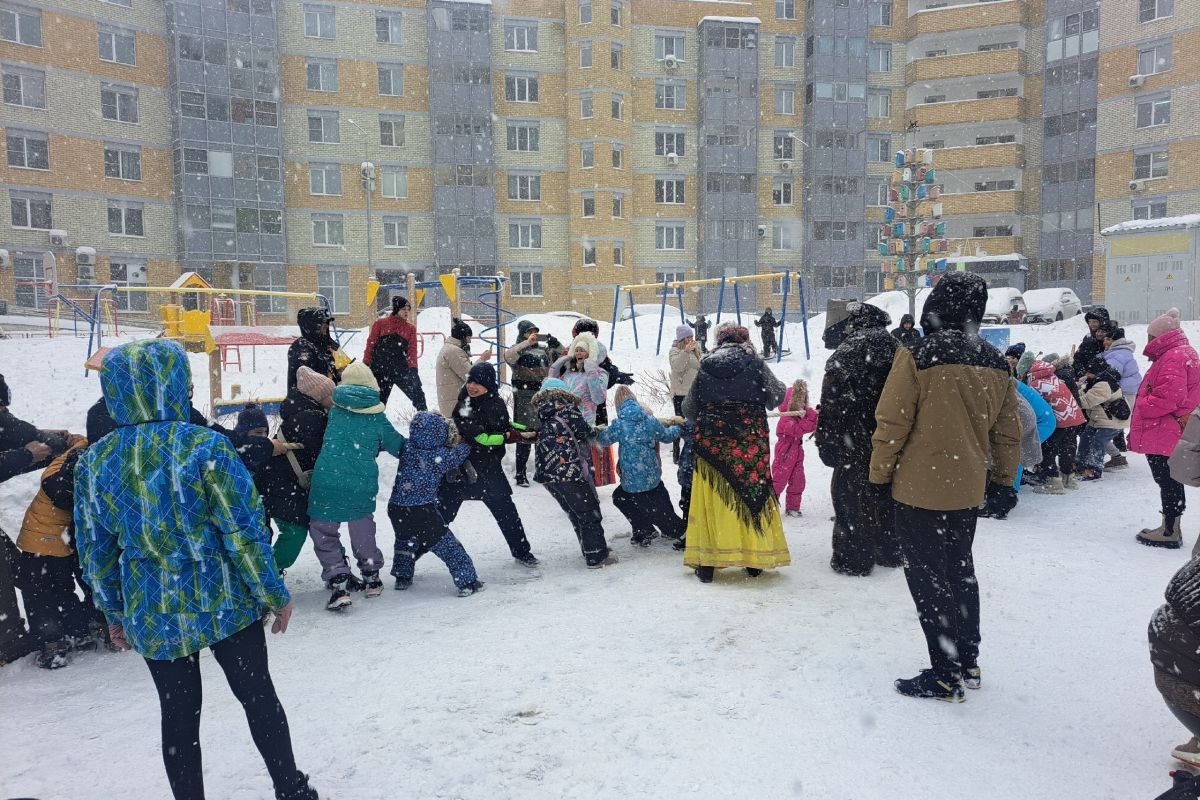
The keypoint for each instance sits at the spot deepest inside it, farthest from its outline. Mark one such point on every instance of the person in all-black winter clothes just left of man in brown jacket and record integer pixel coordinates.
(863, 533)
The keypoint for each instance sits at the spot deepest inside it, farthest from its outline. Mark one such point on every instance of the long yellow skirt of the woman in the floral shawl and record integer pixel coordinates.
(718, 538)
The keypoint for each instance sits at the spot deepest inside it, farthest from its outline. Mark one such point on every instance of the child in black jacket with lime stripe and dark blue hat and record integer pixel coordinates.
(483, 420)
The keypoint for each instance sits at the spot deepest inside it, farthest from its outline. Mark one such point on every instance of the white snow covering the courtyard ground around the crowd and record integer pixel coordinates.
(638, 682)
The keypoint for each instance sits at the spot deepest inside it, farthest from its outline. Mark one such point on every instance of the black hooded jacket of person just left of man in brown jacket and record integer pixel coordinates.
(854, 381)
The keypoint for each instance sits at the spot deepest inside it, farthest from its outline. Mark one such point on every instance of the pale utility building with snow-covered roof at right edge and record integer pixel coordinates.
(1151, 267)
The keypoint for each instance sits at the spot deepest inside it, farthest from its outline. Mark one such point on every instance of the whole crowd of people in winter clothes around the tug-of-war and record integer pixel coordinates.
(154, 531)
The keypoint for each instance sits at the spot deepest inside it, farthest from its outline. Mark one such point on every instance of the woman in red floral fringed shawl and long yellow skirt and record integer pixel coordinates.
(734, 520)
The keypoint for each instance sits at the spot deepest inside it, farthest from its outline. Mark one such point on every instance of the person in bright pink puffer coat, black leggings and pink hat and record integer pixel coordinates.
(1169, 393)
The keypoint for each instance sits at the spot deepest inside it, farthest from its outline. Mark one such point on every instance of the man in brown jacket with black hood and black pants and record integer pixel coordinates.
(947, 408)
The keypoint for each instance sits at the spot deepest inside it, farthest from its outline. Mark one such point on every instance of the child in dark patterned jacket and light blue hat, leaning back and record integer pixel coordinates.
(565, 468)
